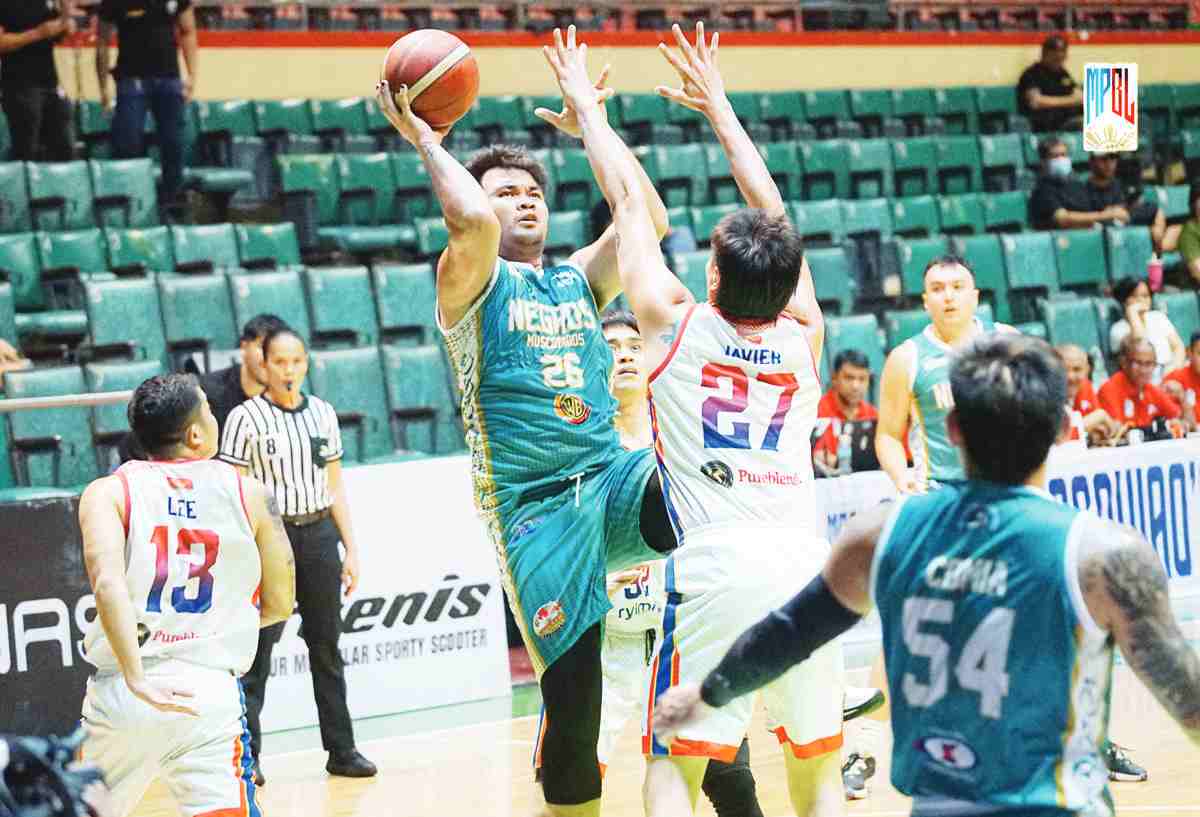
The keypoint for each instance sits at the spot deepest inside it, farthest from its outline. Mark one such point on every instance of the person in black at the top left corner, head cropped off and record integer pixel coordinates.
(31, 95)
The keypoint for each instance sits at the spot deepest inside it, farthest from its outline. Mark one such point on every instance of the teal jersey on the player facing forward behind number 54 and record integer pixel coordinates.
(933, 454)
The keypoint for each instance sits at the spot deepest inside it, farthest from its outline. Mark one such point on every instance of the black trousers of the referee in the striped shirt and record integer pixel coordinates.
(320, 599)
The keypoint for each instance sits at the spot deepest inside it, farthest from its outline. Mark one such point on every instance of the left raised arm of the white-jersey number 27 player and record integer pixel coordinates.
(657, 297)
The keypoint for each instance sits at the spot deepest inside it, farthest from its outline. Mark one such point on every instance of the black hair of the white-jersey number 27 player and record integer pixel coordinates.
(759, 259)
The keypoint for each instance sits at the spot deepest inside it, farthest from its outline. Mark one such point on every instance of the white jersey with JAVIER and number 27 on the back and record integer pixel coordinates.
(733, 418)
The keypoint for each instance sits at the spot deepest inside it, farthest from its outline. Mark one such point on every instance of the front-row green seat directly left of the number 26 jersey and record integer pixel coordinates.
(423, 406)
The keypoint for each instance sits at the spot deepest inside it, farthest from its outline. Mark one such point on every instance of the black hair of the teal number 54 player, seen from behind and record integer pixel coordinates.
(1009, 387)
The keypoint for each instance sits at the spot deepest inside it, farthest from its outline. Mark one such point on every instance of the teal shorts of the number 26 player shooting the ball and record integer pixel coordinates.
(559, 550)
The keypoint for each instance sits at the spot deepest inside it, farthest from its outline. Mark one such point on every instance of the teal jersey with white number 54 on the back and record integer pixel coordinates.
(999, 676)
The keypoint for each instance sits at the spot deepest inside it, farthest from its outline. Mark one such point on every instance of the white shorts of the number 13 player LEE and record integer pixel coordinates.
(205, 761)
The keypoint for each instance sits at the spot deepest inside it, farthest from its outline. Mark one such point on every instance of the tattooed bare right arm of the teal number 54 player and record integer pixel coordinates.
(1125, 590)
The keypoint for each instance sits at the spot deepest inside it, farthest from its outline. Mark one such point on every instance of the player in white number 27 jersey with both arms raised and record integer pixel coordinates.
(741, 486)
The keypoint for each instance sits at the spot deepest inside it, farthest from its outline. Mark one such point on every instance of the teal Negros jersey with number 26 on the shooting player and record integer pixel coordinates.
(532, 367)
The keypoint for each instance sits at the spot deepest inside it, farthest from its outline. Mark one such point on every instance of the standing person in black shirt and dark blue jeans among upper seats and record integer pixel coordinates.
(148, 34)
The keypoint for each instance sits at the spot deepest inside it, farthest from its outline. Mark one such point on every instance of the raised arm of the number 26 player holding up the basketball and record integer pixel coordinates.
(470, 260)
